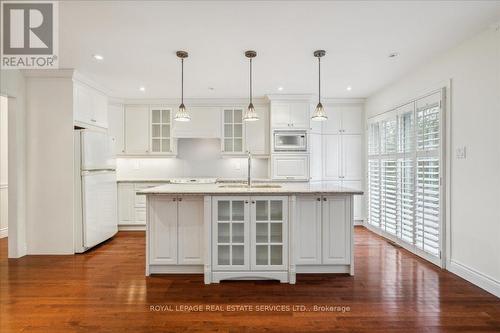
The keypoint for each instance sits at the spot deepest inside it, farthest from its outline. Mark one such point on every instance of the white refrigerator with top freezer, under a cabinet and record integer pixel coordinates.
(96, 208)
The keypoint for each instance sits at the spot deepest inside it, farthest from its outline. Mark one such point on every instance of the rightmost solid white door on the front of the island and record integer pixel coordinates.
(336, 223)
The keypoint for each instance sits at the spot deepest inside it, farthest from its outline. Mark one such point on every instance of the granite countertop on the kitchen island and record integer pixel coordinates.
(285, 188)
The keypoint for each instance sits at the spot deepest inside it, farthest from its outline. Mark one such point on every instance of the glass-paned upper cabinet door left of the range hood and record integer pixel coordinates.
(160, 130)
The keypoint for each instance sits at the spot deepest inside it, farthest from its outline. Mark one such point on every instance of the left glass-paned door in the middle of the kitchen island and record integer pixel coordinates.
(230, 236)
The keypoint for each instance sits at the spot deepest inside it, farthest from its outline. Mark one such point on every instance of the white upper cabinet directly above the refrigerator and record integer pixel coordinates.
(90, 106)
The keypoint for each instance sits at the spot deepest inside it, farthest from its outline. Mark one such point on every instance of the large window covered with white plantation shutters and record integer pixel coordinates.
(404, 175)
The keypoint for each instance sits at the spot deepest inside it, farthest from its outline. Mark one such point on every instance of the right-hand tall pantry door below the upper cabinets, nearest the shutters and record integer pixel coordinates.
(352, 157)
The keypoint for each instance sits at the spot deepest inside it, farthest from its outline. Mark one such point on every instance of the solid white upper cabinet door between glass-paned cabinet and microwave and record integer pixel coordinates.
(257, 133)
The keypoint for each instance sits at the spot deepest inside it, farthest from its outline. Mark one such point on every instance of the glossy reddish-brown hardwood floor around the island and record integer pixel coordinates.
(105, 290)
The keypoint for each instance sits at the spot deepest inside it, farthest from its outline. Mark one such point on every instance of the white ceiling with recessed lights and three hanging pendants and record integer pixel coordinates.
(138, 40)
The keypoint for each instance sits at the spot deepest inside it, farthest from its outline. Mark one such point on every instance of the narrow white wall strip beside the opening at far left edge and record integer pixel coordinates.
(13, 85)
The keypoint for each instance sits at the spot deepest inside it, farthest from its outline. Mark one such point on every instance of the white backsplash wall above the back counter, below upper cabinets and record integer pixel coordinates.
(196, 158)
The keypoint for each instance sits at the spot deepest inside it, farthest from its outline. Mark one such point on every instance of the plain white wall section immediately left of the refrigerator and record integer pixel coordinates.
(50, 181)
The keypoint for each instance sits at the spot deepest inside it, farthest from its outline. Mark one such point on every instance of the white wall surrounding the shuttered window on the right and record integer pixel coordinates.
(474, 70)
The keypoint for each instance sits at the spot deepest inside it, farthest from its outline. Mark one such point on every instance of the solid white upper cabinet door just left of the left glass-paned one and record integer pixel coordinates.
(137, 129)
